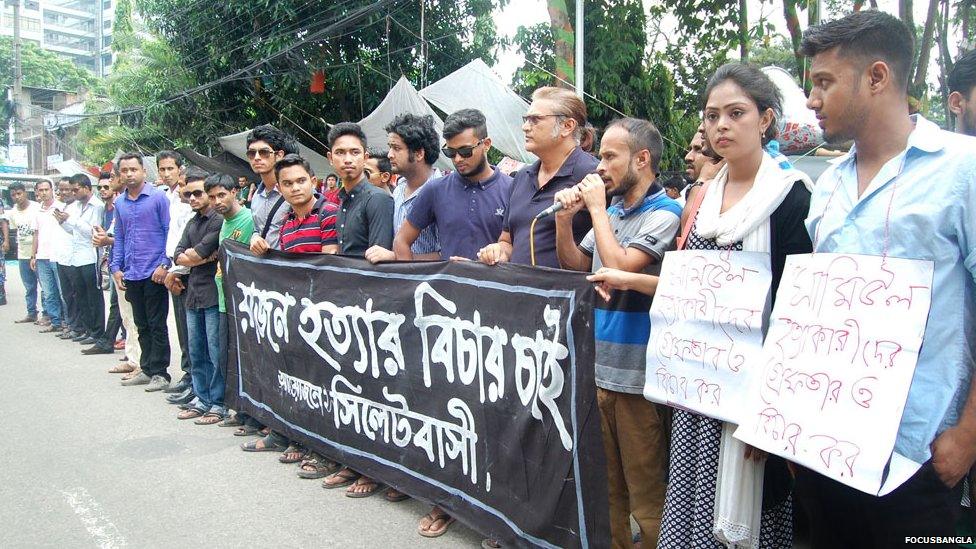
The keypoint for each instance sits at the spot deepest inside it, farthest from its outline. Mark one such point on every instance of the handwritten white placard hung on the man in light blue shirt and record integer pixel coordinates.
(839, 358)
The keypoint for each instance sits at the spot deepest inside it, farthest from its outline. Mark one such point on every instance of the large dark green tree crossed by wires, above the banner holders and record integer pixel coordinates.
(212, 40)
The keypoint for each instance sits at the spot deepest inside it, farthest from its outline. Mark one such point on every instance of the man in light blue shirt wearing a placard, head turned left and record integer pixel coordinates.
(907, 189)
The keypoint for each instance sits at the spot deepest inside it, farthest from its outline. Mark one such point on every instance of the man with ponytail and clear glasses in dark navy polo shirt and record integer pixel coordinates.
(553, 126)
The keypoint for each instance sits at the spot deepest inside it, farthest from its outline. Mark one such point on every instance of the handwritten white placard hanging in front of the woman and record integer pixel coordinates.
(706, 330)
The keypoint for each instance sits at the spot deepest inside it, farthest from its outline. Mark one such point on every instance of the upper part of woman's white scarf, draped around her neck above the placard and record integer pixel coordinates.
(748, 220)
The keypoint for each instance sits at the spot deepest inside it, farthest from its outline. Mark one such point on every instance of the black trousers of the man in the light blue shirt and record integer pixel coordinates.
(842, 517)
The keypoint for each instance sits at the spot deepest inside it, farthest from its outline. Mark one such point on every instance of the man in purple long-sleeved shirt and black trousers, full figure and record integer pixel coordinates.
(139, 266)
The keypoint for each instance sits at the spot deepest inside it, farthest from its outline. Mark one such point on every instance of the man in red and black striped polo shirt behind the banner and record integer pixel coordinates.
(310, 226)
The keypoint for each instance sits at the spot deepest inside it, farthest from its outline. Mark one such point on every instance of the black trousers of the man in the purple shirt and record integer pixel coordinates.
(150, 307)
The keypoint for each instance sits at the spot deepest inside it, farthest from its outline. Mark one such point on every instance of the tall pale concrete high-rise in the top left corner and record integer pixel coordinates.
(79, 30)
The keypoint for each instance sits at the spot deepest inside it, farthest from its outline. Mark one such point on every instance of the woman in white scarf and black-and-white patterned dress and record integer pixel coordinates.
(720, 492)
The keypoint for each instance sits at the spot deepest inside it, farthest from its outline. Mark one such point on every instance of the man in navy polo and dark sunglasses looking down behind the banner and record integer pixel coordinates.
(468, 206)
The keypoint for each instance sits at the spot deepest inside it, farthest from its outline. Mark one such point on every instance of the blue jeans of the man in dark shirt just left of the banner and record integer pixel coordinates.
(203, 331)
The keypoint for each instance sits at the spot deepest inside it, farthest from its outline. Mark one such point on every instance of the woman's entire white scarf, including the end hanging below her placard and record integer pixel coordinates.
(739, 484)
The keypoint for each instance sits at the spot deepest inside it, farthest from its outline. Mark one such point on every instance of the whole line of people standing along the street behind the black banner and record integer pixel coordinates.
(906, 188)
